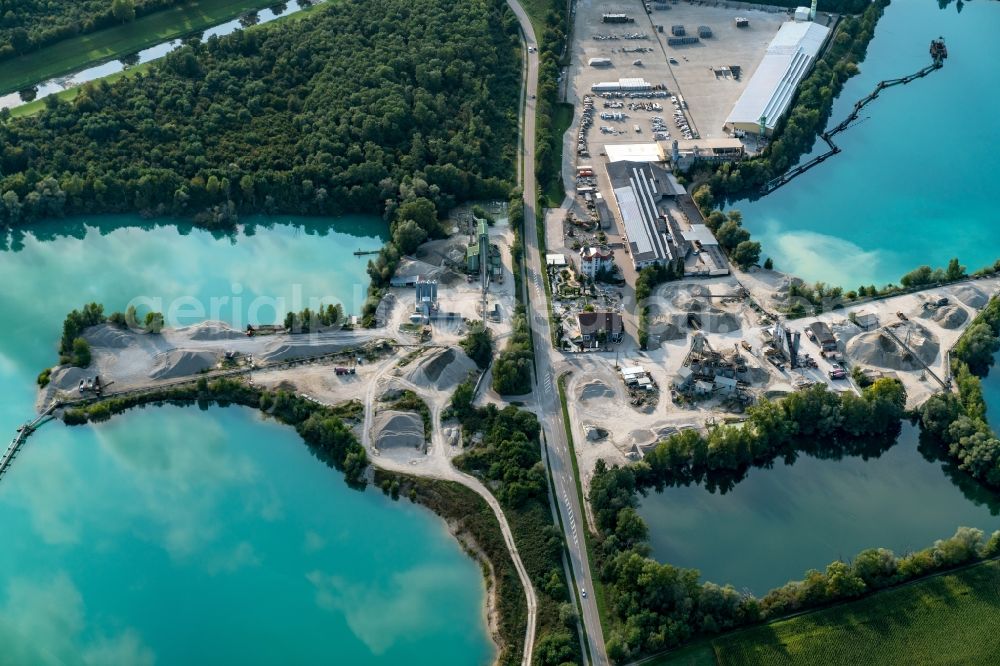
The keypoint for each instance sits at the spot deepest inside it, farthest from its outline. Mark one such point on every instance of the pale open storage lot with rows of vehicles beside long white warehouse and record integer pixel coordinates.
(706, 77)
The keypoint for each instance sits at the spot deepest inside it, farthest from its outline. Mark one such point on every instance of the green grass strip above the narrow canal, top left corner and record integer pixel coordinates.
(76, 53)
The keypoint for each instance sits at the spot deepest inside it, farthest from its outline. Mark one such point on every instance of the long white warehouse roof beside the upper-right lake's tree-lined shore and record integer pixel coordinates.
(787, 60)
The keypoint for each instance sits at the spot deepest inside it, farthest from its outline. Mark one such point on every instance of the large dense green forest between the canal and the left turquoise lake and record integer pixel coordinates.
(366, 106)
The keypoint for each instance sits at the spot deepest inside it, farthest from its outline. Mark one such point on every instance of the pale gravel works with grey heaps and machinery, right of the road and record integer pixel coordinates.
(713, 351)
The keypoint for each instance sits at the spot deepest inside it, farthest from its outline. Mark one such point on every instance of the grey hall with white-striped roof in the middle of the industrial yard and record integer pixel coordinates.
(639, 188)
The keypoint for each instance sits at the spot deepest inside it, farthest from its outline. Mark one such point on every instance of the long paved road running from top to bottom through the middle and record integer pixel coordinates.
(546, 392)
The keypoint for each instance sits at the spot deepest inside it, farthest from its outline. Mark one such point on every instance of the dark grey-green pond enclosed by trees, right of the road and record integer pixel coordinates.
(777, 523)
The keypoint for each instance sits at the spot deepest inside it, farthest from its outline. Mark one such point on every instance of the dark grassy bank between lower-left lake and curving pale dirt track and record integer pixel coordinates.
(473, 520)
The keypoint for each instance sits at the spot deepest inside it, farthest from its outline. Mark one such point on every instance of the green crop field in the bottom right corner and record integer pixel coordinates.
(948, 619)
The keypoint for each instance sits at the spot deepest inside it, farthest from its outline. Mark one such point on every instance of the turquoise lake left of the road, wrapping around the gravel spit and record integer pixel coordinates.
(178, 536)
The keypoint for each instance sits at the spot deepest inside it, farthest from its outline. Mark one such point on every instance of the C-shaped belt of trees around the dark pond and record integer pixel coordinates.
(655, 606)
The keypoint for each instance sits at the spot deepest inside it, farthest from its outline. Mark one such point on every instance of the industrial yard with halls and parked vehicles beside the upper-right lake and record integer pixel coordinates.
(654, 85)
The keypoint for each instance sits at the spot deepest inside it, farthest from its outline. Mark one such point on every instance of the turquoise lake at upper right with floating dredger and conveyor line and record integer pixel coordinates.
(916, 181)
